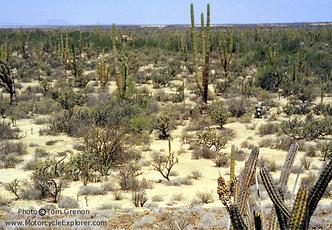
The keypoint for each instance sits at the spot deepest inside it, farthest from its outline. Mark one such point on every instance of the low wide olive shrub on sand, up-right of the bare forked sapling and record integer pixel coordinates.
(211, 139)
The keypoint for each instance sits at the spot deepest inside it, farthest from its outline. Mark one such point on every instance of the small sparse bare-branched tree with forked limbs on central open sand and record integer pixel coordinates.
(164, 164)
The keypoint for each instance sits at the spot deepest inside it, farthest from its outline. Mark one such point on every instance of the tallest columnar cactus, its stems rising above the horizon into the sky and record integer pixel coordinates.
(202, 82)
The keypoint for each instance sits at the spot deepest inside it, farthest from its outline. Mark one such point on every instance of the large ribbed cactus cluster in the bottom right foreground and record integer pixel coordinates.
(234, 196)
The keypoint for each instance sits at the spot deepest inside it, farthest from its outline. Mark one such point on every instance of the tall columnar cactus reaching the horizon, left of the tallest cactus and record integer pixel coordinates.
(120, 78)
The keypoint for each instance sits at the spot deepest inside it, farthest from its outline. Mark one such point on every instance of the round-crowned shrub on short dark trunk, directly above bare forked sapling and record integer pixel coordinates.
(164, 122)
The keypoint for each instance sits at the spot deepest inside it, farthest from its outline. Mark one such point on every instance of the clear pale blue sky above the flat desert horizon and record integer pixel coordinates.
(39, 12)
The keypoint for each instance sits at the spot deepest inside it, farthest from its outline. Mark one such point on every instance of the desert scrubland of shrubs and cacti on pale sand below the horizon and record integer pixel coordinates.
(119, 120)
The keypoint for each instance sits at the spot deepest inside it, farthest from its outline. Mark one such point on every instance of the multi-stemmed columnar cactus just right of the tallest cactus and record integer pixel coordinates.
(226, 51)
